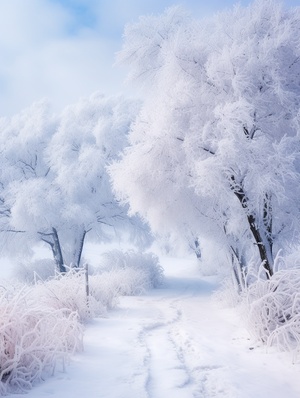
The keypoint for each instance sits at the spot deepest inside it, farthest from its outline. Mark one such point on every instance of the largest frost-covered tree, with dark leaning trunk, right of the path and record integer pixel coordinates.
(215, 149)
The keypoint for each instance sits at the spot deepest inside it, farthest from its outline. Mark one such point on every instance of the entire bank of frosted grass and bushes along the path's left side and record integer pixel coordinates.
(41, 323)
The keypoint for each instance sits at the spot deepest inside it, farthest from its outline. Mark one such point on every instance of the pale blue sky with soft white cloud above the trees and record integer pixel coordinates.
(65, 49)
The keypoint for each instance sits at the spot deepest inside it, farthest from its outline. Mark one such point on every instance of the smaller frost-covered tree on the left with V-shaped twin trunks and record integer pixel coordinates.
(55, 186)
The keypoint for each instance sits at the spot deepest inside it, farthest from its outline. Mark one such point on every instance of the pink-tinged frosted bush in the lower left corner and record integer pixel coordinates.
(34, 339)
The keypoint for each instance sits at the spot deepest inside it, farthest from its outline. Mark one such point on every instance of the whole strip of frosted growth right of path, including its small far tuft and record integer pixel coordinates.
(270, 307)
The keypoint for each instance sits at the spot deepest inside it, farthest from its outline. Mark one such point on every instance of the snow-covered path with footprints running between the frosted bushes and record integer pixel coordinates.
(173, 343)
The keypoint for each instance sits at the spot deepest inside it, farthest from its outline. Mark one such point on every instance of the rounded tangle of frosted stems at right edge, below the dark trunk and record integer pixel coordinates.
(273, 308)
